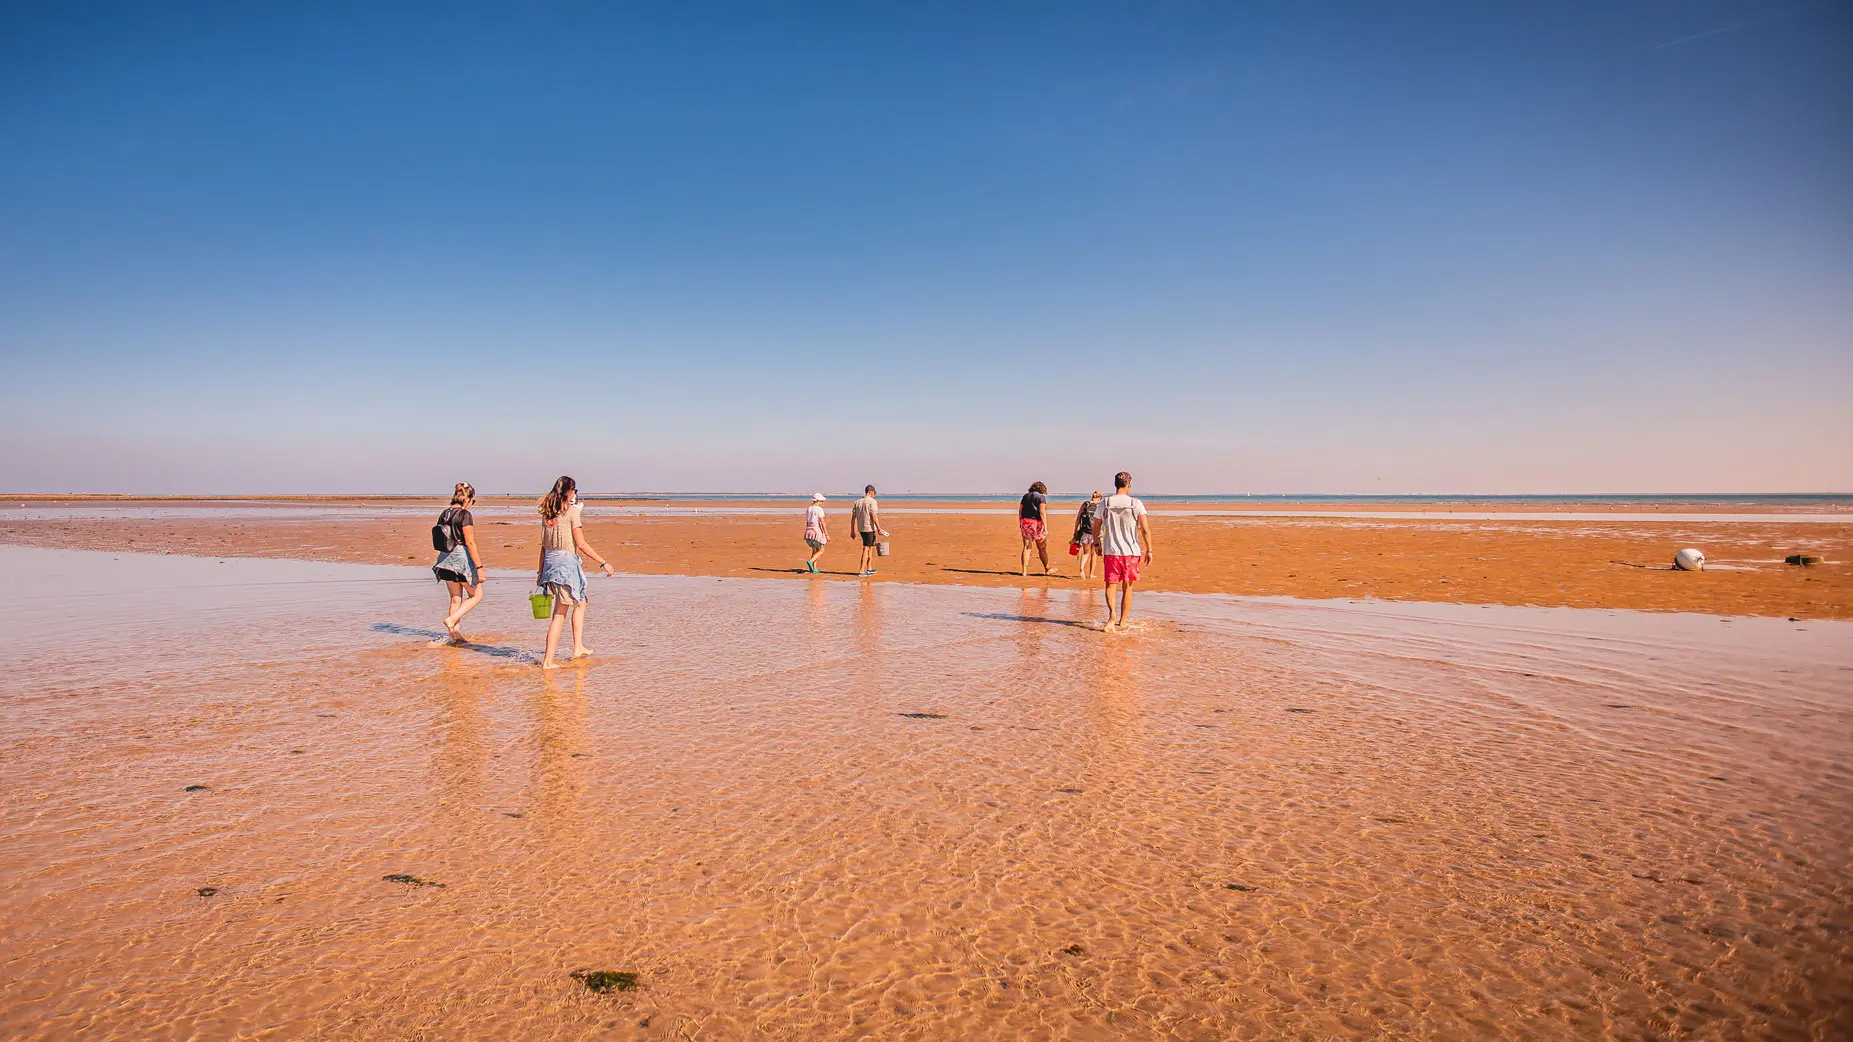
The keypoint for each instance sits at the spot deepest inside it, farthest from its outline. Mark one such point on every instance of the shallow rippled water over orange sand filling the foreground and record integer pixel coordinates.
(822, 811)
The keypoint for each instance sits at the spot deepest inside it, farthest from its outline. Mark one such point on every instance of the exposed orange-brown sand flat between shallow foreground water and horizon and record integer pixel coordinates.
(1480, 561)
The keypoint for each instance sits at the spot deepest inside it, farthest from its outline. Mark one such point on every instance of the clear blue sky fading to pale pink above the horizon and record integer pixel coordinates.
(1268, 248)
